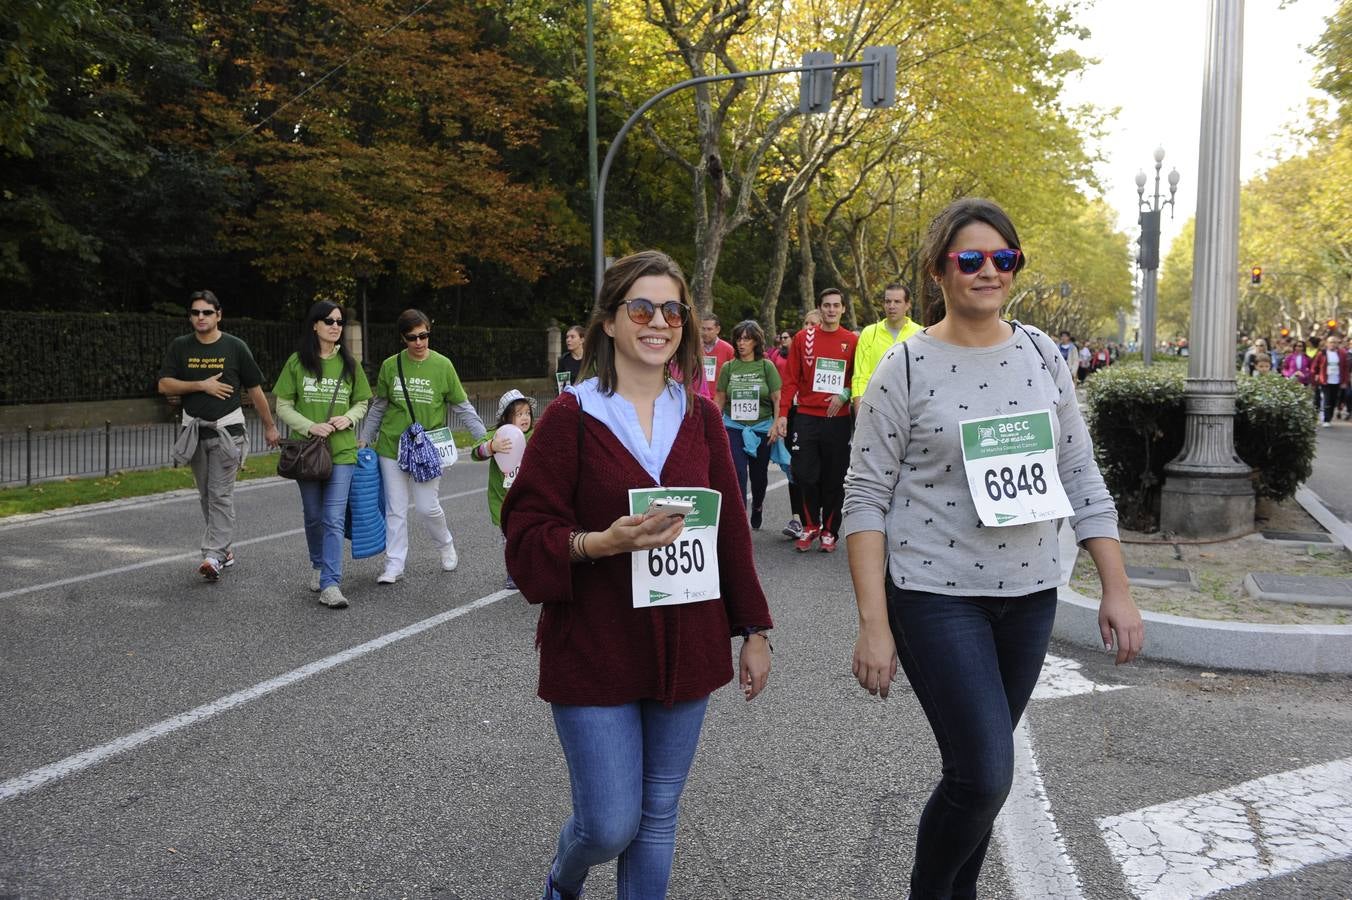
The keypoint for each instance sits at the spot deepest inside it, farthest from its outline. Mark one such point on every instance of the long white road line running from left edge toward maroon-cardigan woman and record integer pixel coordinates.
(71, 766)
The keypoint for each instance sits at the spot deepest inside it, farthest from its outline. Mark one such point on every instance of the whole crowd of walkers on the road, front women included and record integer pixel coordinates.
(946, 459)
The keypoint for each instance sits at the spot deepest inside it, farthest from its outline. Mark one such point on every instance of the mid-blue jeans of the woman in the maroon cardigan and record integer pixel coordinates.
(628, 767)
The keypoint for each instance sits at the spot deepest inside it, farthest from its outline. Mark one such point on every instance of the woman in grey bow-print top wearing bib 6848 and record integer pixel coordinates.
(969, 449)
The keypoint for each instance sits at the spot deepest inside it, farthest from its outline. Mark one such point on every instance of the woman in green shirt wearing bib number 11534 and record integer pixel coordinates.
(748, 394)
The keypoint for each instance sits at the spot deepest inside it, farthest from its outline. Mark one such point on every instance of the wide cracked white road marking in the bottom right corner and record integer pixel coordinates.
(1213, 843)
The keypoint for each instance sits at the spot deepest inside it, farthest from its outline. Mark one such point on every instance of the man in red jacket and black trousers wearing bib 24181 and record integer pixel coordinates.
(821, 364)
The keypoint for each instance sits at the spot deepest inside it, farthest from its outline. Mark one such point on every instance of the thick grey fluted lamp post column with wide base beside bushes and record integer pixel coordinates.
(1208, 493)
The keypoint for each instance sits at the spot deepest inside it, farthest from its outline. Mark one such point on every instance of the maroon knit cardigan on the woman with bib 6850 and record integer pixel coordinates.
(596, 648)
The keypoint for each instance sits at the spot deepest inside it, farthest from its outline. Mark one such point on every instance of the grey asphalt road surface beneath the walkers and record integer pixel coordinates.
(251, 744)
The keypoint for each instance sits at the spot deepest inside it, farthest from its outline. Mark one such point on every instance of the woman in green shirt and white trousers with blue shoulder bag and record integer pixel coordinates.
(432, 387)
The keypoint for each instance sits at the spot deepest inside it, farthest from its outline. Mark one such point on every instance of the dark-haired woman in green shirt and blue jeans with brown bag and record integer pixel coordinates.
(322, 393)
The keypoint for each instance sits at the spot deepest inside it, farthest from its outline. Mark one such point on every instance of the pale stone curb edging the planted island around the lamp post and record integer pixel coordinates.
(1211, 644)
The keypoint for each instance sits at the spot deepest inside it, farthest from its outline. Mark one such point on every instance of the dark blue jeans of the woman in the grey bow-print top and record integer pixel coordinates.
(974, 664)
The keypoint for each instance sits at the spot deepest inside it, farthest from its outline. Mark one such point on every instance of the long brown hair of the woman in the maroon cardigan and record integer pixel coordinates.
(600, 348)
